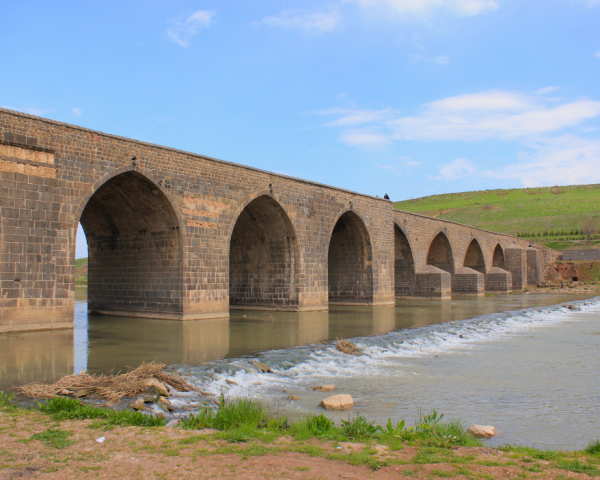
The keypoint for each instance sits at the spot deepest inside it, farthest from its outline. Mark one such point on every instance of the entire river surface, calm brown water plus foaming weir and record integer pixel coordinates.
(523, 363)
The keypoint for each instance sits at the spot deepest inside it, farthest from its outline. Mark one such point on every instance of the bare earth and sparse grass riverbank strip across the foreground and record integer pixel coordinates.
(37, 445)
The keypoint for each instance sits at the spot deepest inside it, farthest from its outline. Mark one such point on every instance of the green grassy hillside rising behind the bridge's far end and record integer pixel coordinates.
(552, 216)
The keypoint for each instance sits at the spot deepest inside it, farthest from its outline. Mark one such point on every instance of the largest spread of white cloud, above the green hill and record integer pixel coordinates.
(549, 133)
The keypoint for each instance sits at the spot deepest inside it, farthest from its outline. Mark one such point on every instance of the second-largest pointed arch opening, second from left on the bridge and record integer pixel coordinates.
(263, 257)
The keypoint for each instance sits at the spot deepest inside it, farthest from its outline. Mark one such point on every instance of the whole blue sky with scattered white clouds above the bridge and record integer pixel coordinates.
(408, 97)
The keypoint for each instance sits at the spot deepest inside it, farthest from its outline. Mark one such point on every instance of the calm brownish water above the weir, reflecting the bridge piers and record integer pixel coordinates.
(103, 343)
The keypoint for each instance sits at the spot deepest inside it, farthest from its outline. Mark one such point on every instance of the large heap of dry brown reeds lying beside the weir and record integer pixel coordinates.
(111, 387)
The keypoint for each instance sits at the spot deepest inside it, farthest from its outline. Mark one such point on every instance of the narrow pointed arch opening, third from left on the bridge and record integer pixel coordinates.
(350, 261)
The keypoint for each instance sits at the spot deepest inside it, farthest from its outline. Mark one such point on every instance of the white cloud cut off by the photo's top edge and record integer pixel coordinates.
(420, 7)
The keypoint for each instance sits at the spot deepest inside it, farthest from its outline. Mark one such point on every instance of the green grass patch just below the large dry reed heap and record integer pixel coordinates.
(63, 408)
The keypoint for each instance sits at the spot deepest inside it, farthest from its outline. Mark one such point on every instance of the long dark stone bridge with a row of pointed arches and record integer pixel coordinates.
(176, 235)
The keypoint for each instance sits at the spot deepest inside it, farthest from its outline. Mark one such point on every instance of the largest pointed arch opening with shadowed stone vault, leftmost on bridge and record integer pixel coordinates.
(135, 258)
